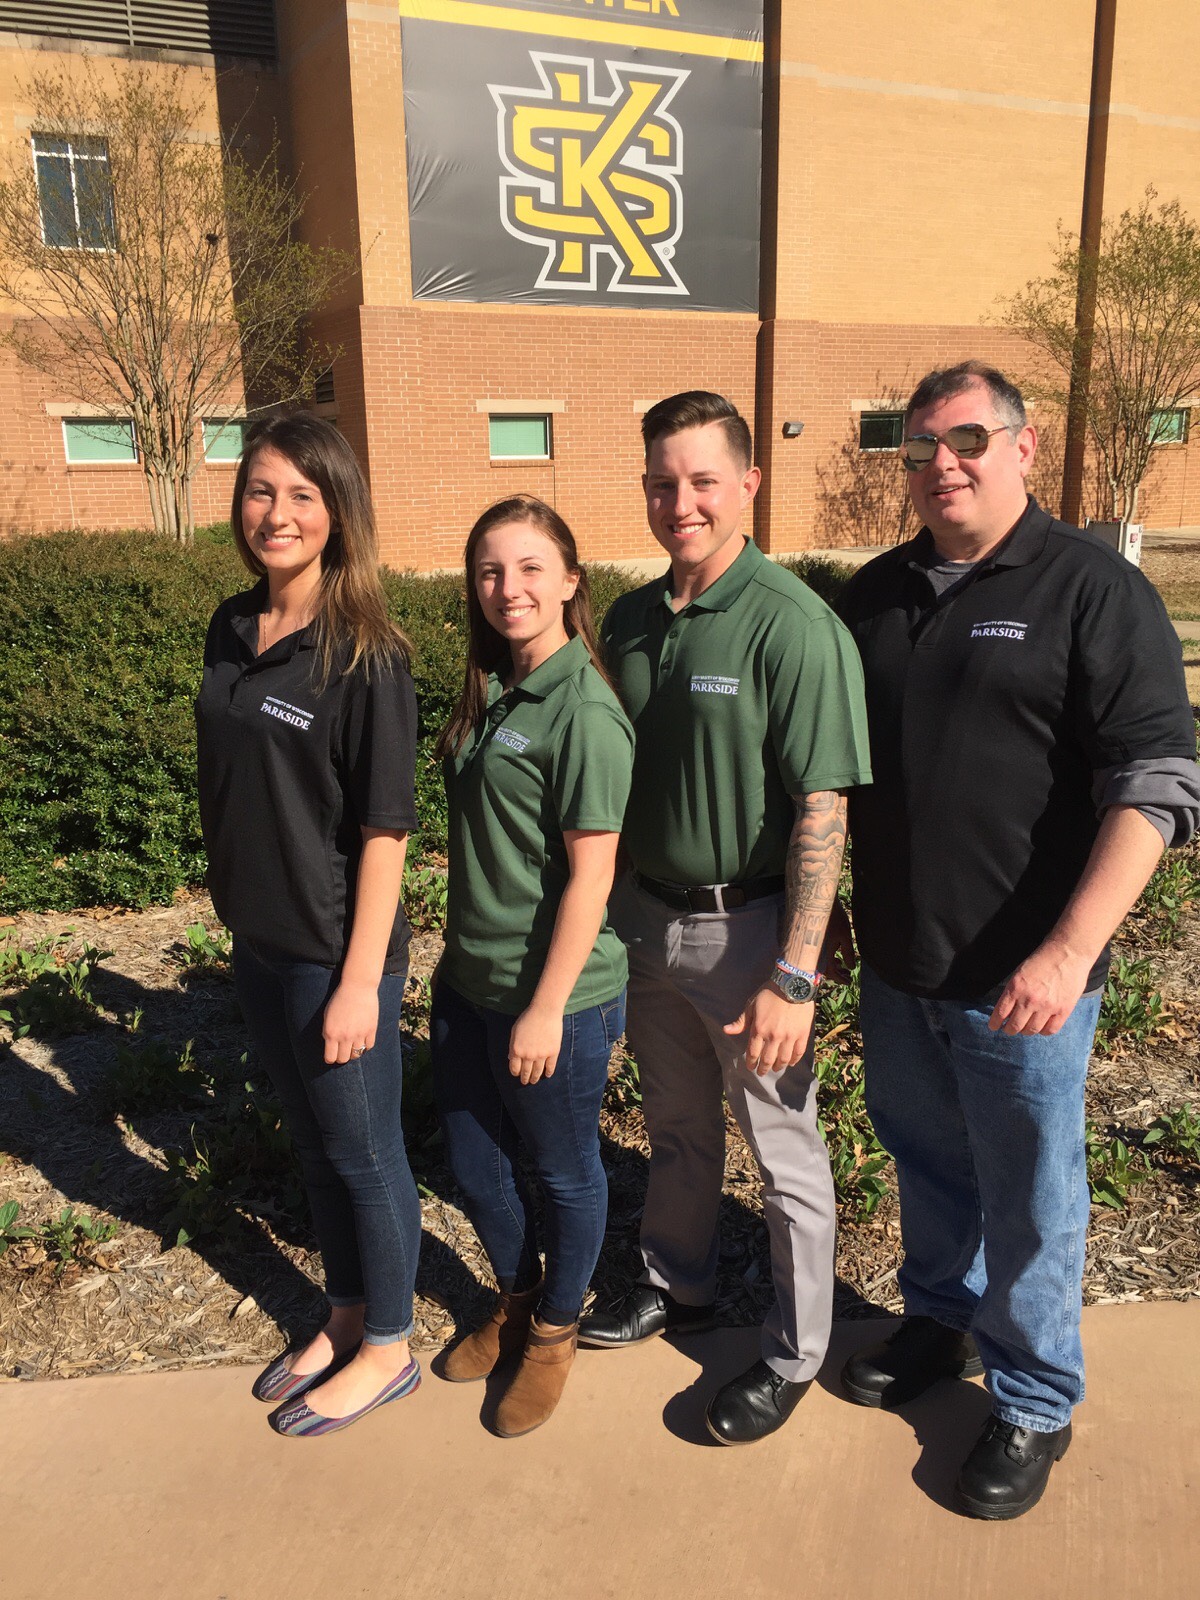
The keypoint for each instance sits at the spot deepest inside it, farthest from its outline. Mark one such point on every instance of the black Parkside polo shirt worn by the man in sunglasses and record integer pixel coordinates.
(990, 711)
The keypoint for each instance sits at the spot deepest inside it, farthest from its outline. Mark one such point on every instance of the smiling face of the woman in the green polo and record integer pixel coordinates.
(522, 585)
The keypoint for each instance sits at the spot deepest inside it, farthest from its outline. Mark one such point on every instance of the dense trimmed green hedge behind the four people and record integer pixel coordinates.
(102, 662)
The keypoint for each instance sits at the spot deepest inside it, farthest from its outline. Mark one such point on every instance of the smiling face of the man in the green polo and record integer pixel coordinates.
(697, 490)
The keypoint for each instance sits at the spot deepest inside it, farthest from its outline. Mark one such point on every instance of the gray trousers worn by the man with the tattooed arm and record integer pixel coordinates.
(689, 975)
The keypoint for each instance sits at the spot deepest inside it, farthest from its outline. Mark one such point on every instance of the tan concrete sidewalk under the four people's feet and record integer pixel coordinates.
(172, 1486)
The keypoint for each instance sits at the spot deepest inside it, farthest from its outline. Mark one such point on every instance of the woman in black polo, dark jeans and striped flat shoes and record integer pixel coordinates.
(306, 729)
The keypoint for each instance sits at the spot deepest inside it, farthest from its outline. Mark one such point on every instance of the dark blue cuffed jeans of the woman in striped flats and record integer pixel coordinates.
(345, 1122)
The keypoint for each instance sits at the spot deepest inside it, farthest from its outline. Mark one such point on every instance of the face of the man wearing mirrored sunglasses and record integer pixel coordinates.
(970, 506)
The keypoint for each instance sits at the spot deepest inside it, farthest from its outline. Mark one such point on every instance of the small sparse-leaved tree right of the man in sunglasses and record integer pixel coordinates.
(1142, 358)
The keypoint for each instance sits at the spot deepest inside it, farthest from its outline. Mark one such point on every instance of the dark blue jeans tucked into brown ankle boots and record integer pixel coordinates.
(489, 1118)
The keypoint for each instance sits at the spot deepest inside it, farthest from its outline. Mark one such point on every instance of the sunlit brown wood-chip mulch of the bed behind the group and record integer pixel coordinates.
(134, 1305)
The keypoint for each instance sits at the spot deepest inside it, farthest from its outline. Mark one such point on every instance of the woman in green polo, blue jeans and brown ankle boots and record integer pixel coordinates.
(530, 993)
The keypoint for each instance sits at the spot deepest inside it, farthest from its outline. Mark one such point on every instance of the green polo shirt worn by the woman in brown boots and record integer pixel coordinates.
(553, 754)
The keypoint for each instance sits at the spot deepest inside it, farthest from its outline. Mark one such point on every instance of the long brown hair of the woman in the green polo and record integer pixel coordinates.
(487, 652)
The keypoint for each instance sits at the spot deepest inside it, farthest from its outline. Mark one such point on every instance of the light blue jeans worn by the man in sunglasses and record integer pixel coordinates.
(988, 1137)
